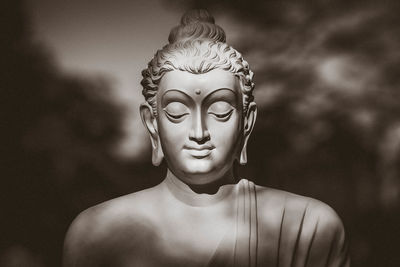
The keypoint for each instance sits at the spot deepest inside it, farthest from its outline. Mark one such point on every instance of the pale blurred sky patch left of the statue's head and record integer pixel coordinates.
(114, 39)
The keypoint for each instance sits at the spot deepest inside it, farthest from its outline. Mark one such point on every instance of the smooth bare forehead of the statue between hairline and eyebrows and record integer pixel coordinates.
(206, 82)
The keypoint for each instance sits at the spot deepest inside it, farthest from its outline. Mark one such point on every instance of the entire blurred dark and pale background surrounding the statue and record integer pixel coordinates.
(327, 89)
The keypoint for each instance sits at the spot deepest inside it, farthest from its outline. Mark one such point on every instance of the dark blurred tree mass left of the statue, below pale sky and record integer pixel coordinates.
(58, 138)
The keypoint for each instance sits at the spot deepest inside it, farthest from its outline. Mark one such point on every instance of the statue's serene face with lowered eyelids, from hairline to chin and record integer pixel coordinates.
(200, 123)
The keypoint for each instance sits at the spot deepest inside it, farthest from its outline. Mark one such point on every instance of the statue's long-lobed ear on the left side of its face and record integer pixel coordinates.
(150, 122)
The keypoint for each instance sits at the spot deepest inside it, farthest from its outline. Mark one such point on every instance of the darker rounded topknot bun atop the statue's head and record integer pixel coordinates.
(197, 24)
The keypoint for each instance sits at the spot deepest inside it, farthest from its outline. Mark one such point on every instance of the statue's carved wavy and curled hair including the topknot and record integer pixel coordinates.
(197, 46)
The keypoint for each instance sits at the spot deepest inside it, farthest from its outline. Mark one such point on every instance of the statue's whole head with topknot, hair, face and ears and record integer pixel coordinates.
(199, 106)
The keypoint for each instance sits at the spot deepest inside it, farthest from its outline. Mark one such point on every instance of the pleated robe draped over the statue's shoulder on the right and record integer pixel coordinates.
(295, 231)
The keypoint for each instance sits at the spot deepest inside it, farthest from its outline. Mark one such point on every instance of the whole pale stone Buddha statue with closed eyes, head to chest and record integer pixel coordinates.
(200, 112)
